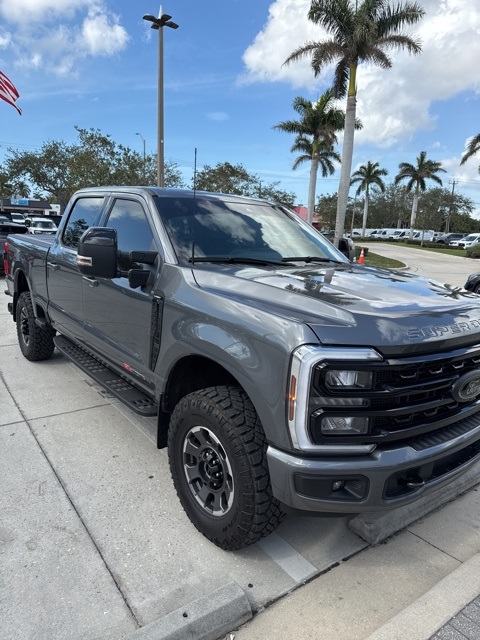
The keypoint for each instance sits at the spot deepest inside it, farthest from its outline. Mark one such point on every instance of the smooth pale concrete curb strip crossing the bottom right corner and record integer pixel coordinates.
(424, 617)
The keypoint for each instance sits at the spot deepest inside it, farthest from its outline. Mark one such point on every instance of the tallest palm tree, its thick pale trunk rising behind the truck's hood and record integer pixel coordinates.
(361, 31)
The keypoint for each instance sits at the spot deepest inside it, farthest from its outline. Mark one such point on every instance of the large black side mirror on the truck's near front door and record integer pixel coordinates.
(97, 253)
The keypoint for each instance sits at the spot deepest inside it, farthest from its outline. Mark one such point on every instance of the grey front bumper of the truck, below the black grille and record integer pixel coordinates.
(388, 477)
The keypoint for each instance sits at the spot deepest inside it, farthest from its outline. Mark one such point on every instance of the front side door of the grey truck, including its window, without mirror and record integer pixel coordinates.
(117, 318)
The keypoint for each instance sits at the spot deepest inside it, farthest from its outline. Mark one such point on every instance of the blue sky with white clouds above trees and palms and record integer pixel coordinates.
(94, 64)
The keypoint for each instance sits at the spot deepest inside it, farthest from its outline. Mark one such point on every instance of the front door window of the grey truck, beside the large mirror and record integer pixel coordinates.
(133, 231)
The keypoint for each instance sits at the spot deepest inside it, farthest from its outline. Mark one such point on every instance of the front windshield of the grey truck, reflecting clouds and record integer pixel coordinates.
(222, 228)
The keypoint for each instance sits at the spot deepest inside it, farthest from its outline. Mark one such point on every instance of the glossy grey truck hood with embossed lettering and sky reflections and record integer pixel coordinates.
(355, 305)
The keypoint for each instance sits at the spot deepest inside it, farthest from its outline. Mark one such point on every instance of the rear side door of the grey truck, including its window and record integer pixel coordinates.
(64, 280)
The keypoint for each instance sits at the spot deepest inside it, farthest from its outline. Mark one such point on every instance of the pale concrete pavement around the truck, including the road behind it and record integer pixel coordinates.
(95, 545)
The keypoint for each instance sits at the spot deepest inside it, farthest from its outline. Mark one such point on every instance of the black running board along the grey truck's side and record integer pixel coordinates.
(137, 400)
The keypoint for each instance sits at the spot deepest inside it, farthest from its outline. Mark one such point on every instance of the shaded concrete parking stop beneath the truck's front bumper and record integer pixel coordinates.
(377, 526)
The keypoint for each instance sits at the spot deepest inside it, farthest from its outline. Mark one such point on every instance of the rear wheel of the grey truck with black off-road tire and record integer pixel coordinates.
(36, 343)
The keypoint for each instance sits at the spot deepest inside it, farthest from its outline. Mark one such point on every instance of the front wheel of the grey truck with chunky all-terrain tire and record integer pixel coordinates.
(216, 450)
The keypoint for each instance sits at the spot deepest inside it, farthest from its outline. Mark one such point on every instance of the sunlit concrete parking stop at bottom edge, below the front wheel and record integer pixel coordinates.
(207, 618)
